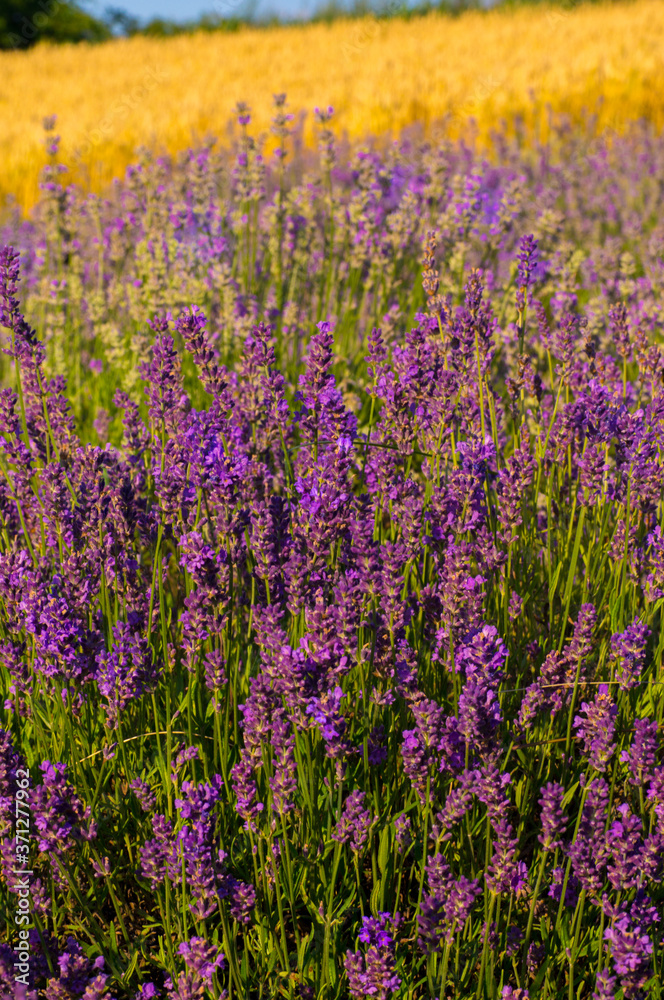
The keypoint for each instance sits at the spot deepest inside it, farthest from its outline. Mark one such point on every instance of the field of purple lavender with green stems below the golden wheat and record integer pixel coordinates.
(332, 574)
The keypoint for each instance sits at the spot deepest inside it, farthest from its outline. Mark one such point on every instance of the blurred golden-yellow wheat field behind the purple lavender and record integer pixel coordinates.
(379, 75)
